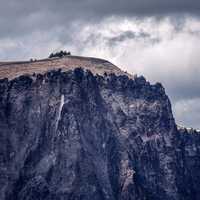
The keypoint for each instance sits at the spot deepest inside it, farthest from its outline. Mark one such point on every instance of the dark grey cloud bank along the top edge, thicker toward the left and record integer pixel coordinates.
(21, 17)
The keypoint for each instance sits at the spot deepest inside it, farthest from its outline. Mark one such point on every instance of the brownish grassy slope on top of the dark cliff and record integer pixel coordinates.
(12, 69)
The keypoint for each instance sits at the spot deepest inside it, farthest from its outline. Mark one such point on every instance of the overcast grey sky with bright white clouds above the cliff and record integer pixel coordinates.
(156, 38)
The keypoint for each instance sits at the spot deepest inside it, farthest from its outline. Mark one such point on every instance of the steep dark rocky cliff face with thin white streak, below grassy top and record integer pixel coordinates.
(73, 135)
